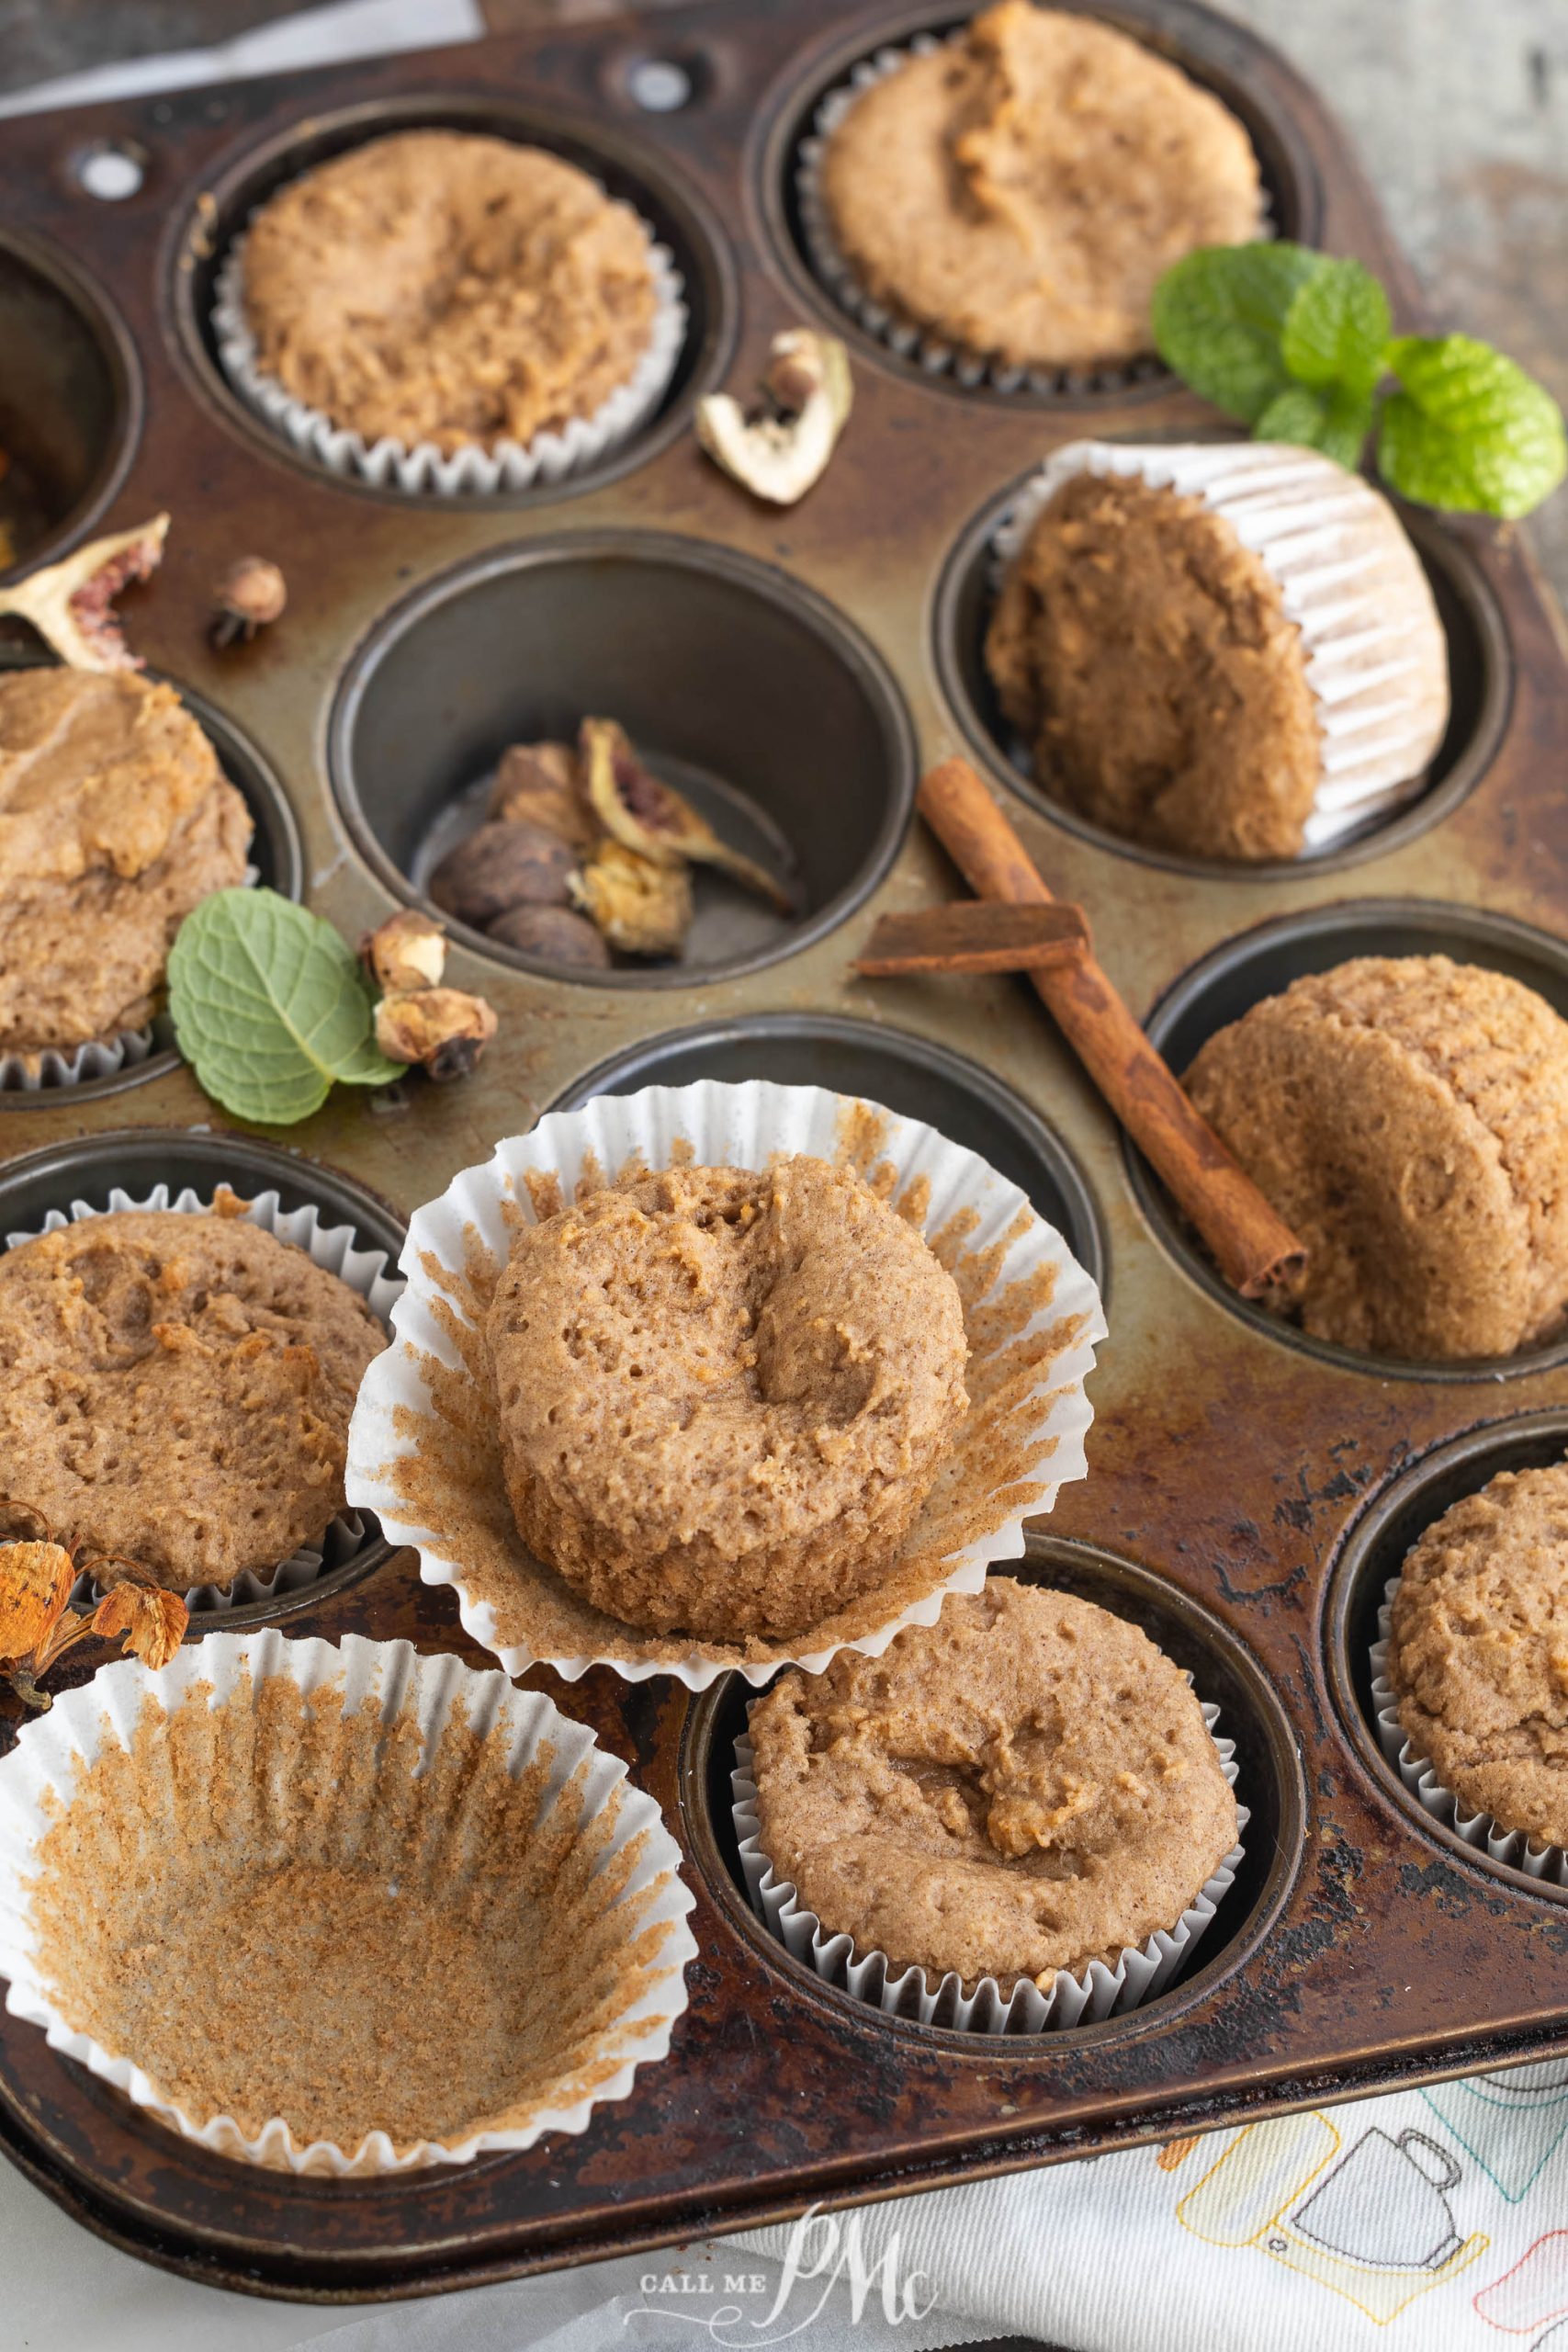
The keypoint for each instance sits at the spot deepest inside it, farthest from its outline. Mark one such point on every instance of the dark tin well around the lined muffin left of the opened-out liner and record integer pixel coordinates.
(140, 1158)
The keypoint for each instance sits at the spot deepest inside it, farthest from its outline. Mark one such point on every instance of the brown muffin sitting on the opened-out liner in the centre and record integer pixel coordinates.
(723, 1396)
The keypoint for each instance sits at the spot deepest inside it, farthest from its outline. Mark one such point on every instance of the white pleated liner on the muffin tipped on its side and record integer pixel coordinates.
(1348, 577)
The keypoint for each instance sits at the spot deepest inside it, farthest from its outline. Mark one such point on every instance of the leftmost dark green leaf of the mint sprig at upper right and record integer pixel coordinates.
(1219, 319)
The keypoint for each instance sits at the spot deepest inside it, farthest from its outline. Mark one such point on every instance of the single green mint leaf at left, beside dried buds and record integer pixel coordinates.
(269, 1008)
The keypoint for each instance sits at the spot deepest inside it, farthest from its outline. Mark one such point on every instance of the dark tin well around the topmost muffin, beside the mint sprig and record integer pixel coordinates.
(1219, 58)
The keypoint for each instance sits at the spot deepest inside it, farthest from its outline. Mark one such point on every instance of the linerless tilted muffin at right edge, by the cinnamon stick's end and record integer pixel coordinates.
(1409, 1121)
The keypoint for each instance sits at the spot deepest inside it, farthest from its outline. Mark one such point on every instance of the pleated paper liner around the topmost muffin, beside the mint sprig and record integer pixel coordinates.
(934, 354)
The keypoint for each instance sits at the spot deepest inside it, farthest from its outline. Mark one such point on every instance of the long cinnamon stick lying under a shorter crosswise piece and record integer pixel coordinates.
(1252, 1243)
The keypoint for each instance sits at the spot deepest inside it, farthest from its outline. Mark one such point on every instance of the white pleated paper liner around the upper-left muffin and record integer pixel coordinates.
(481, 469)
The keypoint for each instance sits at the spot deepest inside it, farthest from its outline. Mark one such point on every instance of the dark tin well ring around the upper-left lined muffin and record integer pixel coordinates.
(624, 168)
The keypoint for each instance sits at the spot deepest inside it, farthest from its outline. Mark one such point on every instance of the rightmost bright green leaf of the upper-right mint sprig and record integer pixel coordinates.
(1470, 432)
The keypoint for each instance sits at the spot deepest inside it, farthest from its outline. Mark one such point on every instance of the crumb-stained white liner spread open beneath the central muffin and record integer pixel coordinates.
(424, 1450)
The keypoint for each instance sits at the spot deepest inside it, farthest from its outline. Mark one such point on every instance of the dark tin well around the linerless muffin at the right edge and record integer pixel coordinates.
(1264, 963)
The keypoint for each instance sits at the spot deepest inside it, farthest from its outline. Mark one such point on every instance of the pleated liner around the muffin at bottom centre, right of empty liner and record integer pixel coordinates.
(1073, 2000)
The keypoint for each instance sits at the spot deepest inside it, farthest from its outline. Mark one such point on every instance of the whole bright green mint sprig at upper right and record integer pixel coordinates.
(1296, 347)
